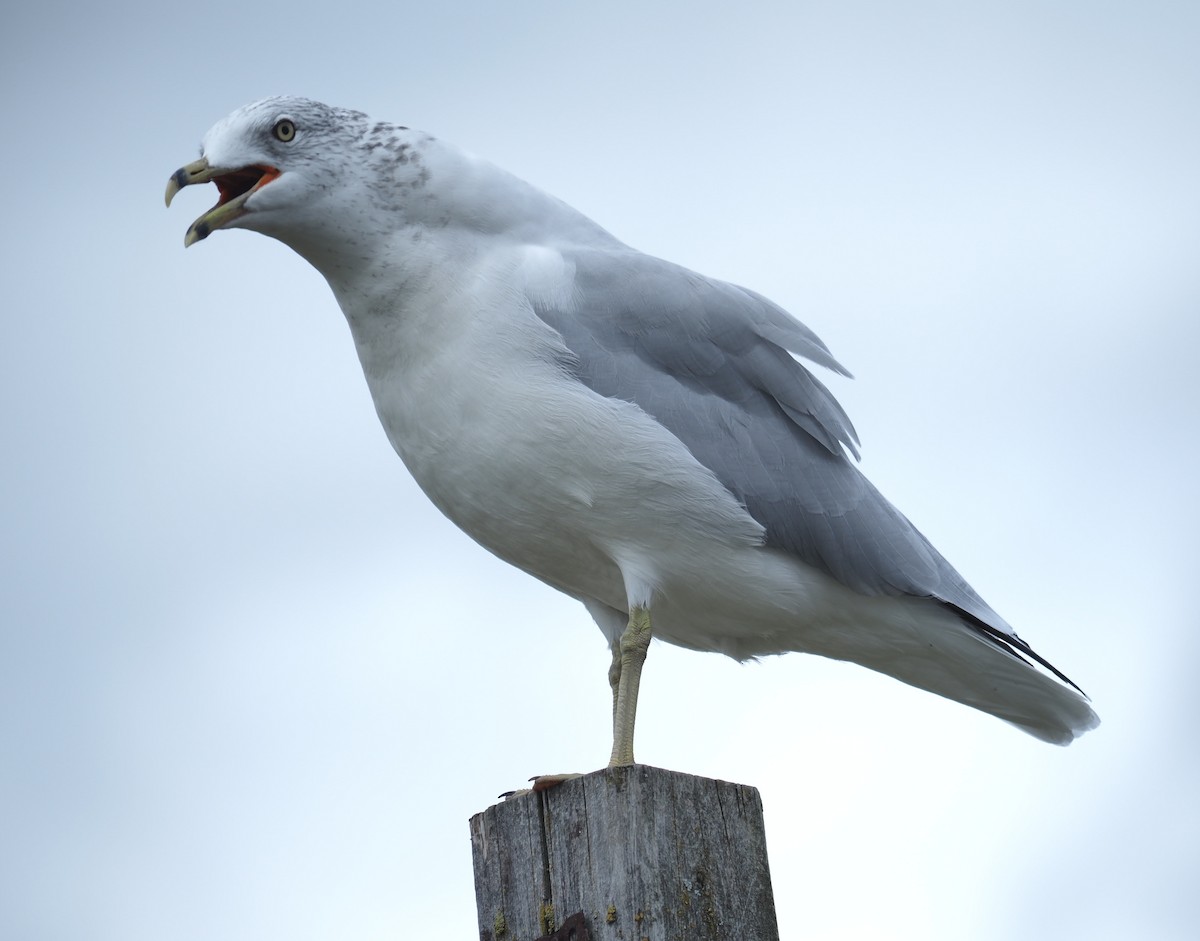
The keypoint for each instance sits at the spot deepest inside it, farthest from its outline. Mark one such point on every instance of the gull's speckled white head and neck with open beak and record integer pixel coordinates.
(346, 191)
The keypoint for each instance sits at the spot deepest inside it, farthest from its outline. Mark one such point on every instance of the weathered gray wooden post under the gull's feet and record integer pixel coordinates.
(645, 855)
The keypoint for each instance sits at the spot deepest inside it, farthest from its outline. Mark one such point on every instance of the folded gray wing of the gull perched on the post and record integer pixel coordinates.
(712, 363)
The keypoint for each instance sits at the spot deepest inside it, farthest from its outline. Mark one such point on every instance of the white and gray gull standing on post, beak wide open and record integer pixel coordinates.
(635, 435)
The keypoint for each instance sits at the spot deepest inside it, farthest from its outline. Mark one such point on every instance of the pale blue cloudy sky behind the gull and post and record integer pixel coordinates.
(253, 686)
